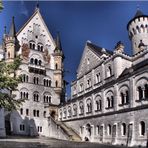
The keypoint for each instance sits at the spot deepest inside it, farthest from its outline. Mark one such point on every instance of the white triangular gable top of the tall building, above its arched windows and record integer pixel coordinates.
(35, 30)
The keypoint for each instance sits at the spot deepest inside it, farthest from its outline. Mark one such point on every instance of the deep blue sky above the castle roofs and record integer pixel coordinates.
(103, 23)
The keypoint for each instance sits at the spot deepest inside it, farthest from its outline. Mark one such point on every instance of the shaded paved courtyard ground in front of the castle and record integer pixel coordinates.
(17, 142)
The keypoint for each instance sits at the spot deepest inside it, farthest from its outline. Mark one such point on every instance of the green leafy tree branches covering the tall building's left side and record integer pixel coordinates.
(8, 83)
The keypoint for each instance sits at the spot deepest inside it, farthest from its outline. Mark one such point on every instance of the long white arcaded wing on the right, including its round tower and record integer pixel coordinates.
(109, 99)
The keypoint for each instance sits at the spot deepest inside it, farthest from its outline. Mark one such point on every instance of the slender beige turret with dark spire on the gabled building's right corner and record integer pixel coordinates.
(58, 72)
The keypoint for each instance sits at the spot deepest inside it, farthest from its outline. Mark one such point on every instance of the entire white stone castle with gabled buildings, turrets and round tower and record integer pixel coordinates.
(109, 98)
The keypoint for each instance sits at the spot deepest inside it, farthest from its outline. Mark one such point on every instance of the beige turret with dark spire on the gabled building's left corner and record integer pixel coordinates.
(11, 43)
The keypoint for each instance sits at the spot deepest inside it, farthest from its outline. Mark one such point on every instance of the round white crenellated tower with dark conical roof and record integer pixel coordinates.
(138, 31)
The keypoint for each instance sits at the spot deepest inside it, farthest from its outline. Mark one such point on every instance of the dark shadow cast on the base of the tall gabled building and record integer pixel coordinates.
(16, 125)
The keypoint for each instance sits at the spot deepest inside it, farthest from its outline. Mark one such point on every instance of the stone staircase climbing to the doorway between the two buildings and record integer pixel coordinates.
(73, 136)
